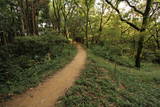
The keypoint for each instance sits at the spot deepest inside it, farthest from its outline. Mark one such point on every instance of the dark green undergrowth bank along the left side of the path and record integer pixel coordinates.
(27, 62)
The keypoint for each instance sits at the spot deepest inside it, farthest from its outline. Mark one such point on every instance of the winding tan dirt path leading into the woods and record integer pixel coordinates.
(46, 94)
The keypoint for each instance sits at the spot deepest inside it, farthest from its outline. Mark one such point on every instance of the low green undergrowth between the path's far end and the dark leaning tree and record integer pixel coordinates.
(112, 53)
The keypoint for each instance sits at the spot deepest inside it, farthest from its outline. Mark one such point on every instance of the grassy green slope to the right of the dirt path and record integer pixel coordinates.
(120, 86)
